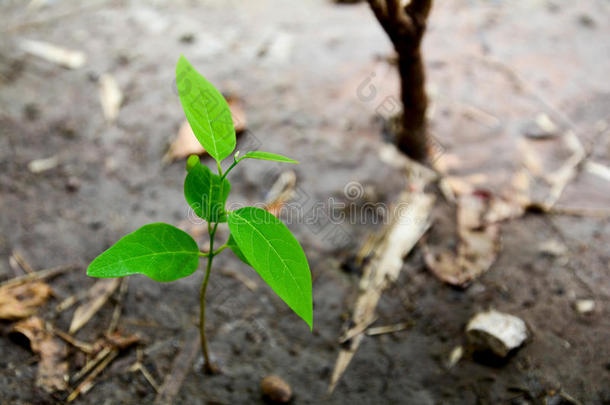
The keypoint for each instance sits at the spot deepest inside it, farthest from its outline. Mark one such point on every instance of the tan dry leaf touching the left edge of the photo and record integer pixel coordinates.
(21, 301)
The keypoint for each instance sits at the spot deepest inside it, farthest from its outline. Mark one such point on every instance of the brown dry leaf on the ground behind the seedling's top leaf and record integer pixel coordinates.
(186, 144)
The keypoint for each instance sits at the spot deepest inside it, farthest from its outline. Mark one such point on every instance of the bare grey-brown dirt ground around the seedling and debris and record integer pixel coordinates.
(314, 78)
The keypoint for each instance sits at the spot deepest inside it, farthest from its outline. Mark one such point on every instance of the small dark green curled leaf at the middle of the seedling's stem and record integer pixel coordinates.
(206, 193)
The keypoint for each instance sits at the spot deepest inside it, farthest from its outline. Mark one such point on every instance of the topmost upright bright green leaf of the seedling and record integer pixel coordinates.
(206, 110)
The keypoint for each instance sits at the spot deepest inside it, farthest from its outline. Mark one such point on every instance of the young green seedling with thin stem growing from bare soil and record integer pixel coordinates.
(165, 253)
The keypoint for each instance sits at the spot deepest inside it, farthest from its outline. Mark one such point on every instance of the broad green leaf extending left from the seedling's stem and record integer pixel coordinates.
(160, 251)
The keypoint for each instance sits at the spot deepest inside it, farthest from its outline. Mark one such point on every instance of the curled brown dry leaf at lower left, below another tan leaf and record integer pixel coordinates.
(53, 368)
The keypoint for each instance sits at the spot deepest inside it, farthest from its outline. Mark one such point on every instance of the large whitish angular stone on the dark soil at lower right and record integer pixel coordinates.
(496, 331)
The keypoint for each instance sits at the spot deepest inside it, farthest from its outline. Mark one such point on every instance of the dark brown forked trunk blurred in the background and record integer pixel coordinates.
(405, 25)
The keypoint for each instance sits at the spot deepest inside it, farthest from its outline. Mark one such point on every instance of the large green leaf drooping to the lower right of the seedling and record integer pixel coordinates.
(275, 254)
